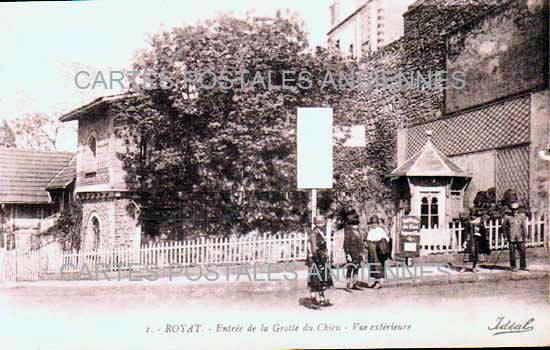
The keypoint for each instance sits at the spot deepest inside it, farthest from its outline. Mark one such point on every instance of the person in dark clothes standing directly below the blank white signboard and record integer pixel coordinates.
(319, 278)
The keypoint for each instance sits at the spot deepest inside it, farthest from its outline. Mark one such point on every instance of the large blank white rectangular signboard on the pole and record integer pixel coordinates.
(314, 148)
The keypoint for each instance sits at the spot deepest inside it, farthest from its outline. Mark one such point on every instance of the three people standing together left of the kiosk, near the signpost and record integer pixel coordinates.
(372, 246)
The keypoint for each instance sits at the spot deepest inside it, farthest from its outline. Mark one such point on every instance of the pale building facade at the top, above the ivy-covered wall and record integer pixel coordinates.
(362, 26)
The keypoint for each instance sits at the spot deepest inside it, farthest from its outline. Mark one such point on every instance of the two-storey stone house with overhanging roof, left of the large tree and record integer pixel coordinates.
(109, 215)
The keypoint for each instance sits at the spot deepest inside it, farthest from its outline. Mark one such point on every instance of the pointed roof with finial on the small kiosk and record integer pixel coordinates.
(429, 161)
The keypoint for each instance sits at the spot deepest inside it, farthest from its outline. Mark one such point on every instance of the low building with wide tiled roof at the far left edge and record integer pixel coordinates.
(35, 187)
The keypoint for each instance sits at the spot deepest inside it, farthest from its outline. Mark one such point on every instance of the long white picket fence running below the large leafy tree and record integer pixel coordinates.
(205, 250)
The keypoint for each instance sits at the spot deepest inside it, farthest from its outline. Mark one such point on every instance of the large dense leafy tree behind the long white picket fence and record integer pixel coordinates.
(235, 147)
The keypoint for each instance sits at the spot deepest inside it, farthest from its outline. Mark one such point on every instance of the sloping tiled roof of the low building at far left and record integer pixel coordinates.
(24, 174)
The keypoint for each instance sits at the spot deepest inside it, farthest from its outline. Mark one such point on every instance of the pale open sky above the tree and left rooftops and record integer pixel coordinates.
(44, 44)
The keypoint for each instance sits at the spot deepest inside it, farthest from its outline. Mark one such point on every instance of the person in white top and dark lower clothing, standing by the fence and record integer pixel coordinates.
(378, 244)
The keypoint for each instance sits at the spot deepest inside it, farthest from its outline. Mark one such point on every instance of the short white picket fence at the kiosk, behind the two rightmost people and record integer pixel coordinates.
(449, 240)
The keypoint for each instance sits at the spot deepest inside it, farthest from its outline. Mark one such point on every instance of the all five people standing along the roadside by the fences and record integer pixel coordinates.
(373, 246)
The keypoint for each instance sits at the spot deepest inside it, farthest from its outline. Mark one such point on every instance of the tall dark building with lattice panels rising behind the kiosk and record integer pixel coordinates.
(498, 123)
